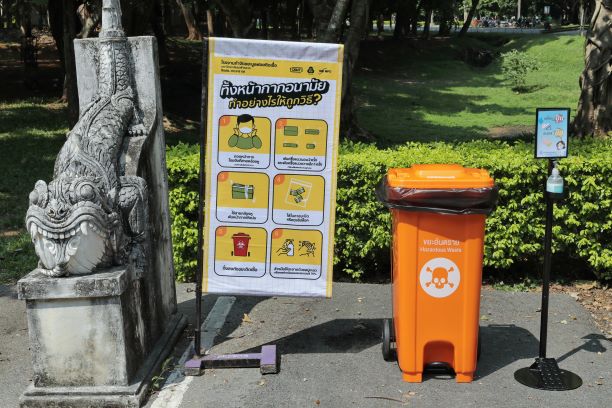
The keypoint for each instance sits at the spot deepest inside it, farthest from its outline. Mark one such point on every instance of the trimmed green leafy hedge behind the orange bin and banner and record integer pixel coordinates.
(514, 232)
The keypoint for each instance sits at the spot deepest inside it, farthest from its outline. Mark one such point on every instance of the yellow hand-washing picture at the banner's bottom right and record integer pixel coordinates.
(296, 247)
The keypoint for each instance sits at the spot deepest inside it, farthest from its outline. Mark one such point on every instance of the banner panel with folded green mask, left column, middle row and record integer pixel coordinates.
(242, 197)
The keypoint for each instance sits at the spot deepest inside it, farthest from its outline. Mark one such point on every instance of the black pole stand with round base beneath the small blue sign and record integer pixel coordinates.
(544, 373)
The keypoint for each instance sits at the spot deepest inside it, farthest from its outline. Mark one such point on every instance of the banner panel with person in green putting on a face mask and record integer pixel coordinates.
(244, 141)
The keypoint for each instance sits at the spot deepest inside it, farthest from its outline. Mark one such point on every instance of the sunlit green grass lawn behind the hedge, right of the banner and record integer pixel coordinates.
(411, 92)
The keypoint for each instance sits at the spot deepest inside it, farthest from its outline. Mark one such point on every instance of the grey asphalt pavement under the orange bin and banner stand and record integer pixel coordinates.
(330, 354)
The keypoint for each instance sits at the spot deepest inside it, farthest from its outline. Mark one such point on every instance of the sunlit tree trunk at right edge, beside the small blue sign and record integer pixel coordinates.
(594, 114)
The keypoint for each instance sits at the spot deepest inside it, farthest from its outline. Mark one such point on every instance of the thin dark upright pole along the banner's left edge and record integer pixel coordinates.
(197, 340)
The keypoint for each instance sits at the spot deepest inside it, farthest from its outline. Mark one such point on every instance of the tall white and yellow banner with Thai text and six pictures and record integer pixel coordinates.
(271, 153)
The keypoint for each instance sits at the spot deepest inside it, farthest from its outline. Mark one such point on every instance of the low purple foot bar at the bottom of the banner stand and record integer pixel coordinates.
(267, 361)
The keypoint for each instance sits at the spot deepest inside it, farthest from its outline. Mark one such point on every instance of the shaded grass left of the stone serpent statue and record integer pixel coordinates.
(31, 134)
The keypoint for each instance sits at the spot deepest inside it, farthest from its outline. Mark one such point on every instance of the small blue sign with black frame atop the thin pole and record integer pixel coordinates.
(552, 126)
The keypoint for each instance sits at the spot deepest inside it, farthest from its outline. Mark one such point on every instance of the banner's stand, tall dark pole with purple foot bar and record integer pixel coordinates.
(267, 359)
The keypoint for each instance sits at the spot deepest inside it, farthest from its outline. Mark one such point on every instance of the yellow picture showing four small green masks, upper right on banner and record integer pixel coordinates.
(306, 137)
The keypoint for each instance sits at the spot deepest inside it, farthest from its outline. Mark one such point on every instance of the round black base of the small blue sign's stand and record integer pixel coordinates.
(545, 374)
